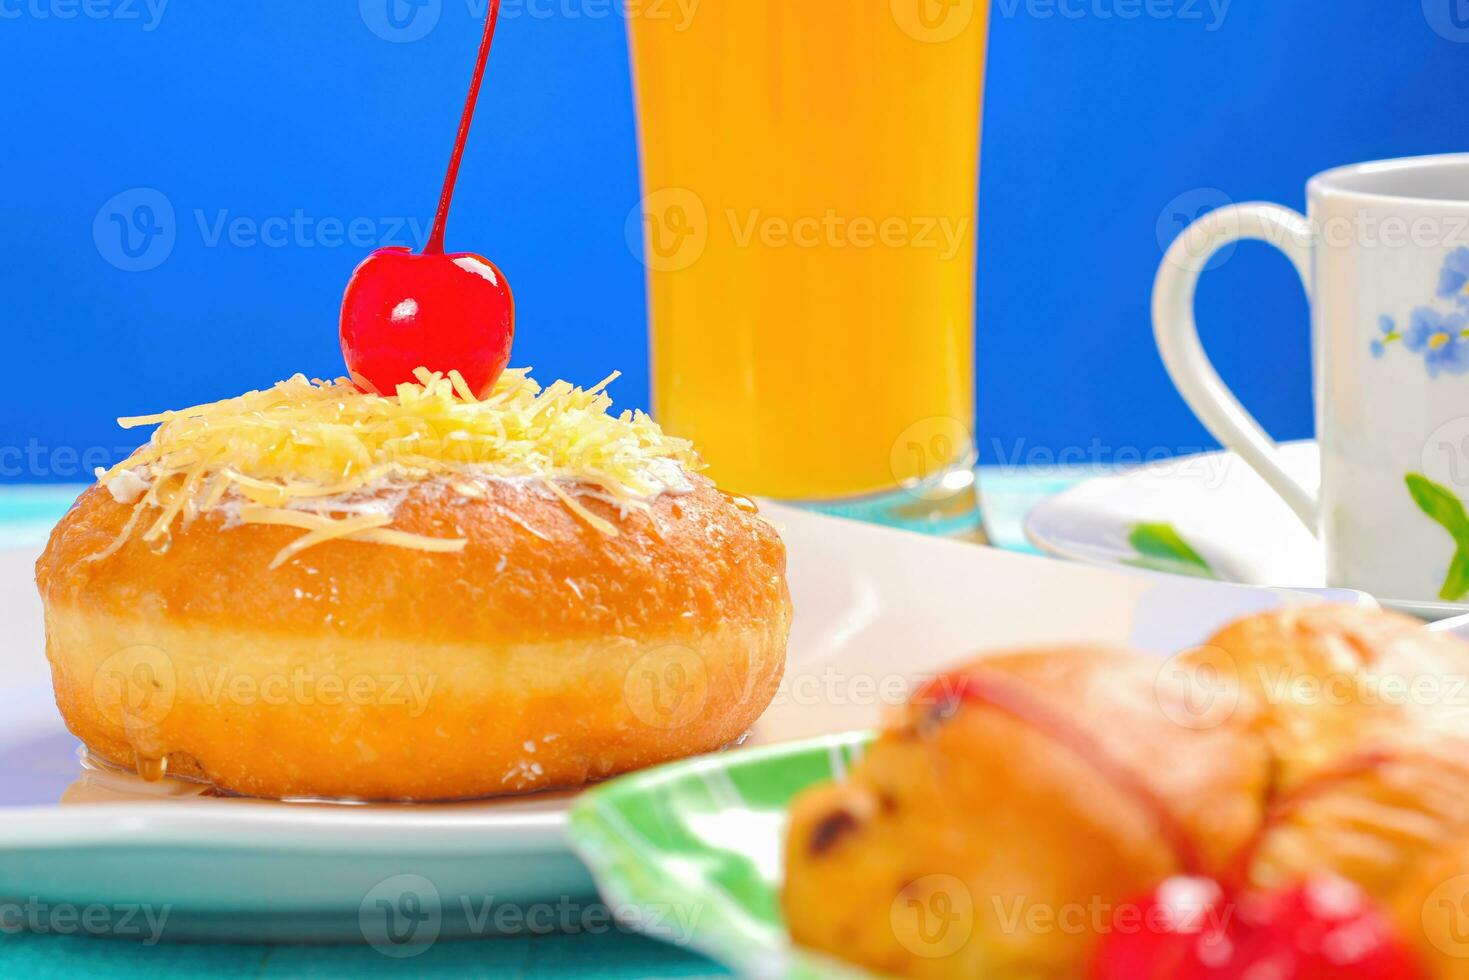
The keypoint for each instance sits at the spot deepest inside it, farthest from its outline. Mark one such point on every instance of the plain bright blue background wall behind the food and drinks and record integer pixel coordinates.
(1100, 133)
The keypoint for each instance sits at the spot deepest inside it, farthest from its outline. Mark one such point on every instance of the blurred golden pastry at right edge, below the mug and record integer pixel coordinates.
(1365, 718)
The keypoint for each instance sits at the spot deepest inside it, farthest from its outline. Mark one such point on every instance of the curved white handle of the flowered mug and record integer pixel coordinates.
(1177, 336)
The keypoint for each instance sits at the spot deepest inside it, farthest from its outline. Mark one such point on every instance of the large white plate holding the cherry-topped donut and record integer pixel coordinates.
(876, 612)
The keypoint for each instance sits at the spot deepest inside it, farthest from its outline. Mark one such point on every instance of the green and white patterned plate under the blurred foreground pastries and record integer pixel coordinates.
(691, 853)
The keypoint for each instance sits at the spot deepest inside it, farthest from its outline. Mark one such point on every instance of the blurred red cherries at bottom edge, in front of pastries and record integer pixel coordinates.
(1191, 929)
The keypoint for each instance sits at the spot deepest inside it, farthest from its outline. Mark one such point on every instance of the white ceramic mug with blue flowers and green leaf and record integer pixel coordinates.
(1385, 256)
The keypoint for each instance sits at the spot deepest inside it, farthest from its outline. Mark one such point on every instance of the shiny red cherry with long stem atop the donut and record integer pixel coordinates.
(443, 312)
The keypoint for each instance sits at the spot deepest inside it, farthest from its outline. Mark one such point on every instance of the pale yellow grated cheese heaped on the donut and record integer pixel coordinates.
(318, 456)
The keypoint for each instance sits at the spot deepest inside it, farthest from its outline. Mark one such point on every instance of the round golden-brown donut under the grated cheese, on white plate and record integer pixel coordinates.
(565, 637)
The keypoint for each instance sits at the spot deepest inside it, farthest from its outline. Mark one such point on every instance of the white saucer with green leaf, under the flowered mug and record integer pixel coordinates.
(1219, 506)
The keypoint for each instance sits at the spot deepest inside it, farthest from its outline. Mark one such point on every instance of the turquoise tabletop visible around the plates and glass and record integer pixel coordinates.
(27, 515)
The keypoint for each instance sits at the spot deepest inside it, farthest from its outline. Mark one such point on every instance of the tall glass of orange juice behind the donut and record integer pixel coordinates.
(810, 192)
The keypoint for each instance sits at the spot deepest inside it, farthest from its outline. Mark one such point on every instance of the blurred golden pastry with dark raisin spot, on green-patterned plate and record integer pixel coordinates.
(1051, 781)
